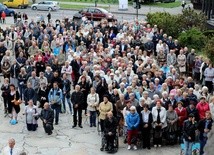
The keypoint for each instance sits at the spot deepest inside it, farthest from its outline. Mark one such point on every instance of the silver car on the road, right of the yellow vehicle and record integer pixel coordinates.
(46, 5)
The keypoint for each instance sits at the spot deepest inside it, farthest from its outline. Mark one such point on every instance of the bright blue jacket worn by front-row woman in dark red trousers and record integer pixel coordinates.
(132, 120)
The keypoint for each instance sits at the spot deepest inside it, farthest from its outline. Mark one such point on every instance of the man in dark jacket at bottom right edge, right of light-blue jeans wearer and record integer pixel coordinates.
(204, 126)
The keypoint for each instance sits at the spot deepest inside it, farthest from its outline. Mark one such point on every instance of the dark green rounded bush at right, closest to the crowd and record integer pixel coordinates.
(193, 38)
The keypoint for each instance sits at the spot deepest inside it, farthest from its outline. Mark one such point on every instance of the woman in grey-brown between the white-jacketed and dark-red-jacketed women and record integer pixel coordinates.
(171, 118)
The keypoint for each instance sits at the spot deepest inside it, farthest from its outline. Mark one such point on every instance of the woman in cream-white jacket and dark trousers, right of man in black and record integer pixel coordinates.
(92, 101)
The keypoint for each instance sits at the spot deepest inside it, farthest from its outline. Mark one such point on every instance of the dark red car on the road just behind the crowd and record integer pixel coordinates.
(94, 14)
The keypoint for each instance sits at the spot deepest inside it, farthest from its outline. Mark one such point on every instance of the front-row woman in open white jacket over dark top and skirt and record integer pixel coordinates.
(159, 123)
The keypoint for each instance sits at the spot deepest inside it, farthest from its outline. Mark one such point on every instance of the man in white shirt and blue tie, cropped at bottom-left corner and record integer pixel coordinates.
(11, 149)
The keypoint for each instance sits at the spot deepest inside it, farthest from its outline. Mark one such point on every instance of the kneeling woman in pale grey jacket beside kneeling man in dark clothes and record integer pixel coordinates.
(31, 112)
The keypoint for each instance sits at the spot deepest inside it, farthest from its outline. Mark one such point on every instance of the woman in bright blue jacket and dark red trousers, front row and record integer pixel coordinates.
(133, 121)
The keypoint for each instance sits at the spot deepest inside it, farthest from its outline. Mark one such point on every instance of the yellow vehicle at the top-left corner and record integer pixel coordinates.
(16, 3)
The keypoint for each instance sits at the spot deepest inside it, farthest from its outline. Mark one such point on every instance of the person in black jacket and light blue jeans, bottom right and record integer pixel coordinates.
(189, 133)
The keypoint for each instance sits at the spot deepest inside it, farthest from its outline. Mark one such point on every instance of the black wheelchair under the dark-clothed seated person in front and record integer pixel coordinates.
(104, 144)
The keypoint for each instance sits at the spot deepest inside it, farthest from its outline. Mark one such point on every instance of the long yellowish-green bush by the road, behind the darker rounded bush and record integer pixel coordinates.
(175, 24)
